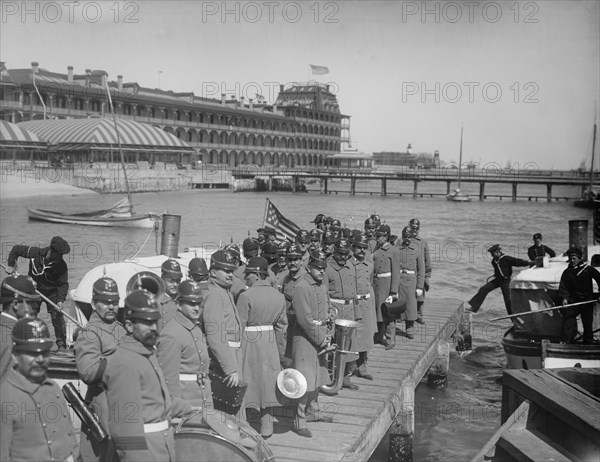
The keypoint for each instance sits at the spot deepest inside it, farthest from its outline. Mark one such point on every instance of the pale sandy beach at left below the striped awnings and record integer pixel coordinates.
(17, 187)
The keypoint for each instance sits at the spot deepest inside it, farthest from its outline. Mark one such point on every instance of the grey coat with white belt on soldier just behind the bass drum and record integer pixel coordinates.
(182, 349)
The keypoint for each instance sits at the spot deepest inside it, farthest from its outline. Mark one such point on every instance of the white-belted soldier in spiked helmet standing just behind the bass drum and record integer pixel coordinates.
(182, 350)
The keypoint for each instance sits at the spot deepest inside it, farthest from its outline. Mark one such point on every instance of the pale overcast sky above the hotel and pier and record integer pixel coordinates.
(521, 77)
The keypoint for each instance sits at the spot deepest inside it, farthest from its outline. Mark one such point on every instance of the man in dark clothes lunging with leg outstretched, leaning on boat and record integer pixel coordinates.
(503, 265)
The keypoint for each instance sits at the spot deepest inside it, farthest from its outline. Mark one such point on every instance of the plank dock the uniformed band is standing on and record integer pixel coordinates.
(362, 418)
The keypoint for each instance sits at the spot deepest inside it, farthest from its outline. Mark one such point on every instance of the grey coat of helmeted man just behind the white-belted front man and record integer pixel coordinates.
(96, 342)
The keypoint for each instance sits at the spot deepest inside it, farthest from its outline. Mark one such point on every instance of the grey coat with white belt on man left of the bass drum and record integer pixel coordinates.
(137, 394)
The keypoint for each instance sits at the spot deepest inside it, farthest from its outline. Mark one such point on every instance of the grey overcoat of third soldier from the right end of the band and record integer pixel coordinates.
(385, 260)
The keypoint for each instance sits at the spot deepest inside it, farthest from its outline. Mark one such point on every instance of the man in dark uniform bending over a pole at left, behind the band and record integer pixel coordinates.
(49, 271)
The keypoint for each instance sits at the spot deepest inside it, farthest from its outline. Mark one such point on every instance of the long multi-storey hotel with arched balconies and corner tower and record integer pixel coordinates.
(303, 127)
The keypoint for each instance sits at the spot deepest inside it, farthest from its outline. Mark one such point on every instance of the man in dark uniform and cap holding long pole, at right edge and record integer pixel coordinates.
(576, 287)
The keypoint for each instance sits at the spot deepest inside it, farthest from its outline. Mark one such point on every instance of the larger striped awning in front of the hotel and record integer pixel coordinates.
(101, 131)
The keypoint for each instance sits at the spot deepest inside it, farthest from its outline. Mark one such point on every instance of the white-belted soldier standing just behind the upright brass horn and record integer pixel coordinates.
(340, 279)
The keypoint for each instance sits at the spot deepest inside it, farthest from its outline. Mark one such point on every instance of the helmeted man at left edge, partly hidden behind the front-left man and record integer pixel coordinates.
(19, 299)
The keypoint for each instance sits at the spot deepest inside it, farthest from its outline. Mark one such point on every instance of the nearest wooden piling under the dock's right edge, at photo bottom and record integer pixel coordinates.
(403, 427)
